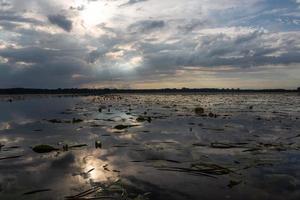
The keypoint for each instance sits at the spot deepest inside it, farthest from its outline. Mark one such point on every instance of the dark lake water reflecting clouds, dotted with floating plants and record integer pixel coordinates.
(247, 148)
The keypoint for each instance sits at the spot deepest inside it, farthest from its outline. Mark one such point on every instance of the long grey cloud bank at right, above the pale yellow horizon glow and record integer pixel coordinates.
(245, 51)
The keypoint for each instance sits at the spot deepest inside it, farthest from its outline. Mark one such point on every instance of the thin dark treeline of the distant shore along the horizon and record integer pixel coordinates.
(77, 91)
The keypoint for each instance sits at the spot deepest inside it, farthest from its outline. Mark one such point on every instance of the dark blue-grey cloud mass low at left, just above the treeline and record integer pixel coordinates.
(36, 66)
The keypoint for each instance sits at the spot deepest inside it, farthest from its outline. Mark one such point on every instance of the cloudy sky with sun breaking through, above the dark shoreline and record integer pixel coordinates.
(150, 43)
